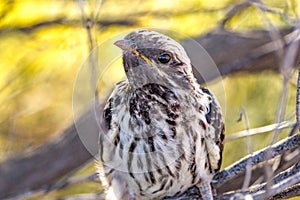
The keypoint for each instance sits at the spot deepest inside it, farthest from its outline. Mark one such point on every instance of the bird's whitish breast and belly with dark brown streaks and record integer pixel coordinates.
(158, 136)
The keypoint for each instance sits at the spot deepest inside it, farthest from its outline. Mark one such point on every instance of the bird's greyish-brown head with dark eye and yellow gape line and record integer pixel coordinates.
(151, 57)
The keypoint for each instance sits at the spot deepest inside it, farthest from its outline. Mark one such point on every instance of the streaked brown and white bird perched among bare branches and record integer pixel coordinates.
(164, 131)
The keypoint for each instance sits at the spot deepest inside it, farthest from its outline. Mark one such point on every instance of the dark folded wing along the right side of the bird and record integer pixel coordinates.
(215, 120)
